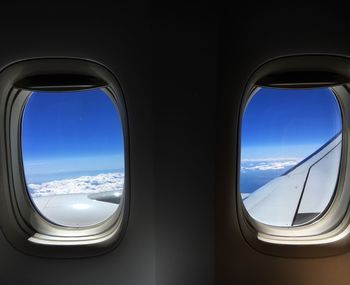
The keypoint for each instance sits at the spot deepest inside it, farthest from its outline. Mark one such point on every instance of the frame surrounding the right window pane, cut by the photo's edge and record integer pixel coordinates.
(332, 227)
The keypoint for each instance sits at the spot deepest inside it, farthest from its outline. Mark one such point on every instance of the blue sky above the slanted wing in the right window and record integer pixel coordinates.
(286, 123)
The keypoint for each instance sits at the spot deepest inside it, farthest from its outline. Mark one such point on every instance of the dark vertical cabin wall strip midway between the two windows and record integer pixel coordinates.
(185, 77)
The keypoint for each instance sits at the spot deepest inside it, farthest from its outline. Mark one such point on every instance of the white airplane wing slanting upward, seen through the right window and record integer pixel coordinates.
(302, 193)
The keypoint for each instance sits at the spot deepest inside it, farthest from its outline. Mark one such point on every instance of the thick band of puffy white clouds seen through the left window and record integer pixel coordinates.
(84, 184)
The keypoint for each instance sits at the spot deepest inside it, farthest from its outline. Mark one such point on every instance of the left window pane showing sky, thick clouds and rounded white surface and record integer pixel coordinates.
(73, 156)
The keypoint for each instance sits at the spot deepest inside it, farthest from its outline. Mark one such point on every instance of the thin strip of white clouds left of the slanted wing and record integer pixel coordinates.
(267, 164)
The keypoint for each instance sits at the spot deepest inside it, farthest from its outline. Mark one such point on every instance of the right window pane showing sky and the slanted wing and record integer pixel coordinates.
(291, 142)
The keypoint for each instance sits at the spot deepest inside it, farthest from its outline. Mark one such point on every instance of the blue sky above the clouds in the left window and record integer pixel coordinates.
(66, 132)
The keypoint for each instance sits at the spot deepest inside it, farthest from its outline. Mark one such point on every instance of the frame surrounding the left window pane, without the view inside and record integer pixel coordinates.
(22, 224)
